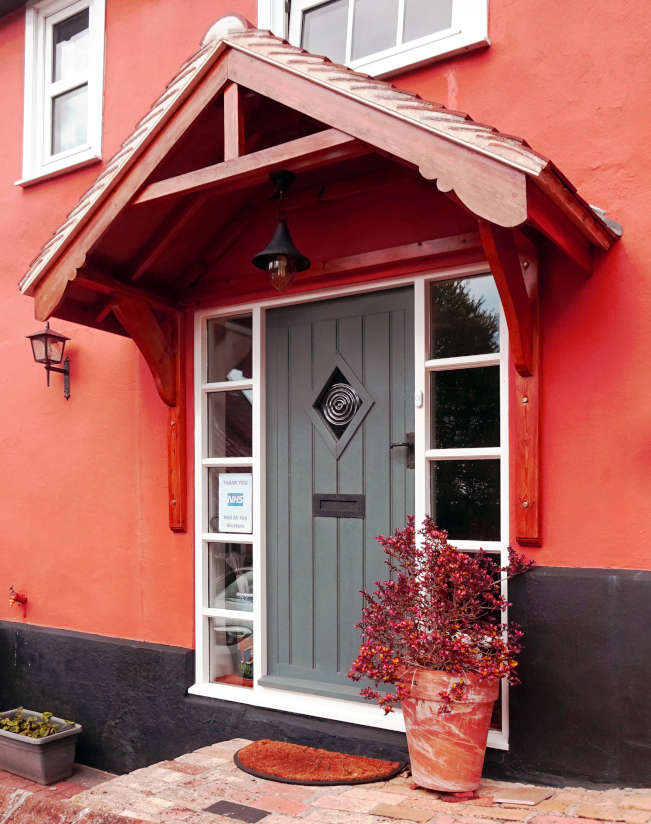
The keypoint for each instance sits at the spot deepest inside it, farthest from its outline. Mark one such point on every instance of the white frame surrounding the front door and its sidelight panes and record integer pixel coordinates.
(336, 709)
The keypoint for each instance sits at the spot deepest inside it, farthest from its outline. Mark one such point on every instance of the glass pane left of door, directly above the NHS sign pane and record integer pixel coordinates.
(229, 424)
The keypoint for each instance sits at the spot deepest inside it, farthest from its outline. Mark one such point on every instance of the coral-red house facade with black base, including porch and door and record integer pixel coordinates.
(462, 335)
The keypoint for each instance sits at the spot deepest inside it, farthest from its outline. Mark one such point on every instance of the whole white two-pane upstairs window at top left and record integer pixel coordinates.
(64, 72)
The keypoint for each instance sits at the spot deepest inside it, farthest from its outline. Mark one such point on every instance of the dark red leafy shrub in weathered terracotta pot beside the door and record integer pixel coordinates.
(434, 631)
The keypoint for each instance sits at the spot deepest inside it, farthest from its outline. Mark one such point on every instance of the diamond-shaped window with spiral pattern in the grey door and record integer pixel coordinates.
(339, 405)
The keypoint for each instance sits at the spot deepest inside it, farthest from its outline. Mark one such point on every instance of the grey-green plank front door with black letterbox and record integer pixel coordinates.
(339, 383)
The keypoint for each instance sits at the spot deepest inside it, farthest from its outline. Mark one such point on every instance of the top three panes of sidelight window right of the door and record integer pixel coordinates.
(464, 376)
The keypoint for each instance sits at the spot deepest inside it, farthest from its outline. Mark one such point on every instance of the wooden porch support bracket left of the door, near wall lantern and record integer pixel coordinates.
(162, 346)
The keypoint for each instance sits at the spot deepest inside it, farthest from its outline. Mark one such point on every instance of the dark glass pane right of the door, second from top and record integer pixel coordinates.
(465, 408)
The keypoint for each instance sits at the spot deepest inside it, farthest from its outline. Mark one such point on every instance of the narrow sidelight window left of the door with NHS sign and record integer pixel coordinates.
(228, 522)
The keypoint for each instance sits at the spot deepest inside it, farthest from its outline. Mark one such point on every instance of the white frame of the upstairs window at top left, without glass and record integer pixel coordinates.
(40, 17)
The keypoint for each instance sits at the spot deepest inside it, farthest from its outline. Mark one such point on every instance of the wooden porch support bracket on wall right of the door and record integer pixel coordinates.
(520, 303)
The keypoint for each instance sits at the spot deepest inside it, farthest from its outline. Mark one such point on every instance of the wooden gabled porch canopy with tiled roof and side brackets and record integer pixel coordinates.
(177, 214)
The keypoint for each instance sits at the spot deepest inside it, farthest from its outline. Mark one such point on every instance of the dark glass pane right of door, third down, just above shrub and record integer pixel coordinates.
(466, 499)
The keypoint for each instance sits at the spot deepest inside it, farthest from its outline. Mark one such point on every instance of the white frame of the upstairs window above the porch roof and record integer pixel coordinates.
(469, 30)
